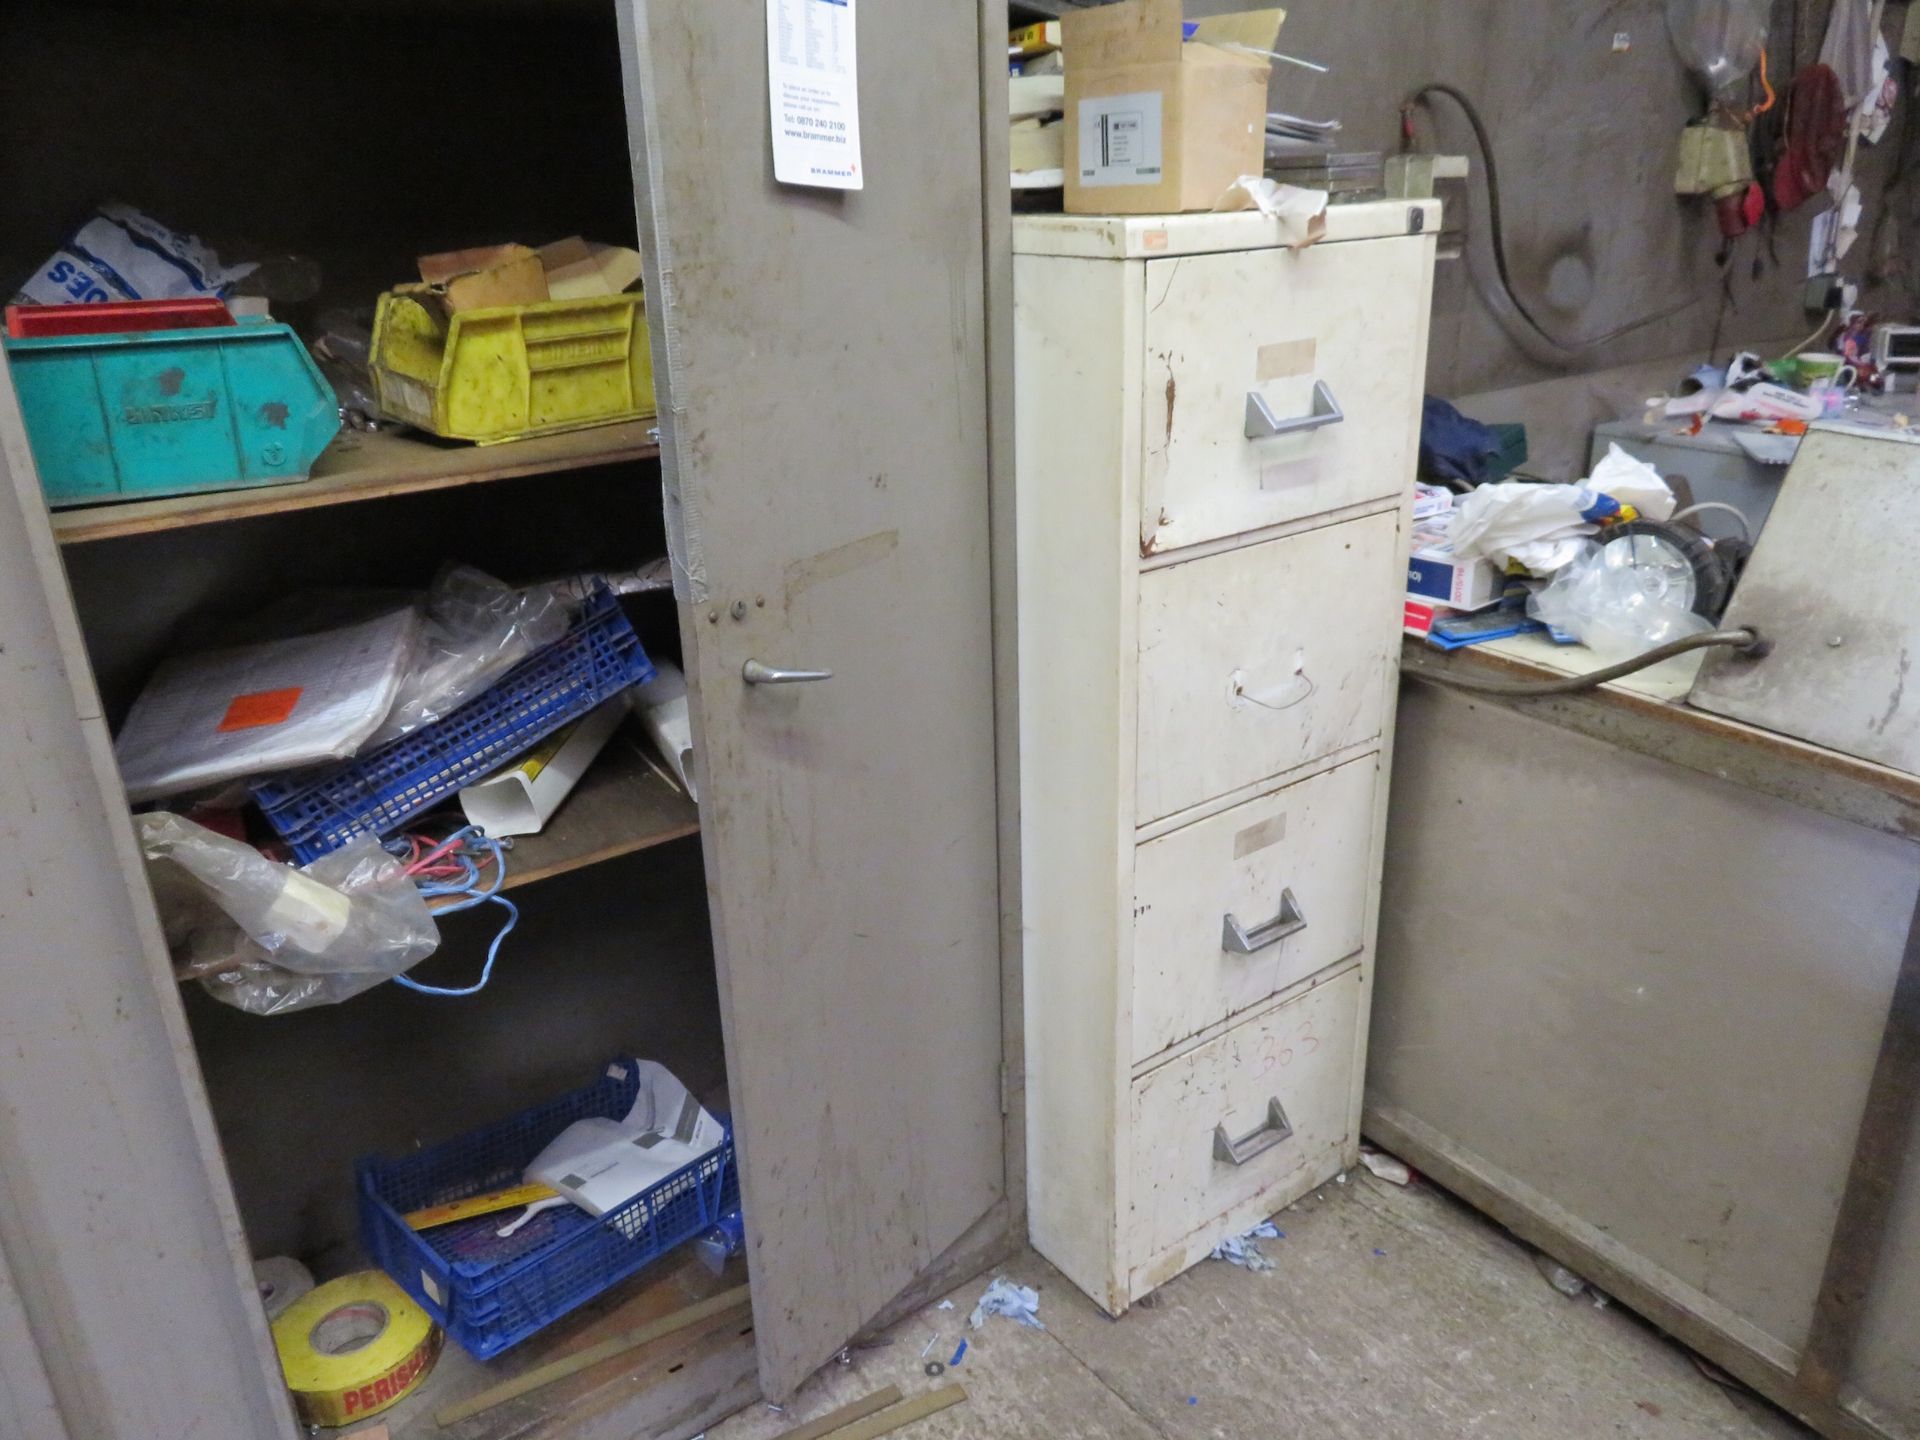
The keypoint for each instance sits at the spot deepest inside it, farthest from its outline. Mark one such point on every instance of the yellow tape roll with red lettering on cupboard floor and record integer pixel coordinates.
(354, 1347)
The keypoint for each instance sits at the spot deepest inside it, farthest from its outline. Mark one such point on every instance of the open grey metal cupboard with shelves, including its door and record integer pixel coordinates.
(827, 955)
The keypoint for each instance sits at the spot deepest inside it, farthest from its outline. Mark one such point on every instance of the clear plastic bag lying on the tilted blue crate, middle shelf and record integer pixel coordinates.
(477, 629)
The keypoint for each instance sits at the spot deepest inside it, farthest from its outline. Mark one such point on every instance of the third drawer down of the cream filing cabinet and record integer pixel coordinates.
(1241, 905)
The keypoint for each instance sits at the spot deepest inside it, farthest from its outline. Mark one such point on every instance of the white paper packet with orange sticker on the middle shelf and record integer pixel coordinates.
(256, 709)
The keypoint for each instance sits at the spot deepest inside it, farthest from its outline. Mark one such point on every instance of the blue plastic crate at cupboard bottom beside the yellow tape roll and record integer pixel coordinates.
(491, 1293)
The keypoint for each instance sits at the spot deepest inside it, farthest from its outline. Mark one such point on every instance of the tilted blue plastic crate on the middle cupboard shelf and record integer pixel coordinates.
(318, 811)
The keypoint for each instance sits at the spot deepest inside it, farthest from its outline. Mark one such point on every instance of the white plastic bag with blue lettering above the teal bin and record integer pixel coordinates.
(122, 254)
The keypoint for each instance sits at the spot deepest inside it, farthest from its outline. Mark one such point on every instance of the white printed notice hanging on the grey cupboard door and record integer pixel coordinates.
(813, 82)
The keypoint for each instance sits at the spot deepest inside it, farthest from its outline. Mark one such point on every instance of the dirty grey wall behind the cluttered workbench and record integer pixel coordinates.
(1587, 145)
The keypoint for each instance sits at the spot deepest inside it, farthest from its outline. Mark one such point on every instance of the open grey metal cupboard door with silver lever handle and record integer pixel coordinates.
(825, 429)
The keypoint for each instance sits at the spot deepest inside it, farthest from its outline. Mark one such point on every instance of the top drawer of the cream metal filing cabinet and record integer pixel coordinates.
(1320, 345)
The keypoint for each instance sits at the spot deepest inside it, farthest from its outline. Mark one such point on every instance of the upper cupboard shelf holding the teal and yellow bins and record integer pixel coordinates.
(368, 466)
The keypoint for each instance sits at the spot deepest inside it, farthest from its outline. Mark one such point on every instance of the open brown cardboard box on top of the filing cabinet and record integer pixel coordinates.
(1163, 116)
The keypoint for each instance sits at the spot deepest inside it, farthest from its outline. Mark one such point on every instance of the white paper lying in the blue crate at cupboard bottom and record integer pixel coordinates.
(602, 1164)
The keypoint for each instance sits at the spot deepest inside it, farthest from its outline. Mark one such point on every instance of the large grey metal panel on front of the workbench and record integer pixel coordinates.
(1646, 994)
